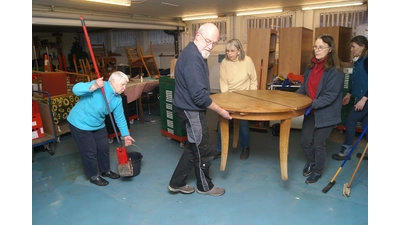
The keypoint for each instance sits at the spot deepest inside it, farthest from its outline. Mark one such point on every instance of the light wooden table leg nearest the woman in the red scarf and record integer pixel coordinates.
(283, 146)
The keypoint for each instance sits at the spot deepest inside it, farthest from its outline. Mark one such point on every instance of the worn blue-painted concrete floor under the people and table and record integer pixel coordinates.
(255, 192)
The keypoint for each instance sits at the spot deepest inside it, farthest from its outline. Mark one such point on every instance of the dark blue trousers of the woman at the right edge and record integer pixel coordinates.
(351, 123)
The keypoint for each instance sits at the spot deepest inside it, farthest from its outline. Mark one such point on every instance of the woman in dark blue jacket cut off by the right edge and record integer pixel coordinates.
(358, 91)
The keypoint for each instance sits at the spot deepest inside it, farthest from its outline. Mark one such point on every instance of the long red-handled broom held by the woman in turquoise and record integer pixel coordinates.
(125, 167)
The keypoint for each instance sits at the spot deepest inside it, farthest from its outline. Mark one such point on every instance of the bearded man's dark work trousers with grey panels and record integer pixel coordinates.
(198, 152)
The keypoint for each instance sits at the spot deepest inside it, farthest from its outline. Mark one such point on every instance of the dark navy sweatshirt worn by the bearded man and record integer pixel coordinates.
(192, 84)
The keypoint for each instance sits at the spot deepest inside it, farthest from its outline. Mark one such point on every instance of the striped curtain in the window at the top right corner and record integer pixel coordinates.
(344, 19)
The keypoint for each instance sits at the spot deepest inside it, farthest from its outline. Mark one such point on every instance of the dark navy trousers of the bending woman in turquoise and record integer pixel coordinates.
(94, 149)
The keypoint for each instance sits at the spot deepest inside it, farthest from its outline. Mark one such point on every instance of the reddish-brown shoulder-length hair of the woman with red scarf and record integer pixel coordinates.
(333, 58)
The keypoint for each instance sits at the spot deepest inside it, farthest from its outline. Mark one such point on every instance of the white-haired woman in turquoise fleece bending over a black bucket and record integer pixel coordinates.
(87, 123)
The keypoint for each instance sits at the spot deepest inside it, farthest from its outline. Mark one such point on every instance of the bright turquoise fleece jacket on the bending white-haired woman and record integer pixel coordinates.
(90, 111)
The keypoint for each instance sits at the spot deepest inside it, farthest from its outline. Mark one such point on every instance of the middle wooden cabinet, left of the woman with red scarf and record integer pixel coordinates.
(295, 49)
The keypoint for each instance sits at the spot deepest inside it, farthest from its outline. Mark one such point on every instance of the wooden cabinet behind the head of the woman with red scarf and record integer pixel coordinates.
(342, 37)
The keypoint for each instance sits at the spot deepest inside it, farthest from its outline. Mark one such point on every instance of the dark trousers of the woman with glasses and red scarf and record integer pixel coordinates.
(313, 142)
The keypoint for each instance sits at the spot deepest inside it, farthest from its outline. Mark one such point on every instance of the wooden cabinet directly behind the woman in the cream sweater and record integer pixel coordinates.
(261, 46)
